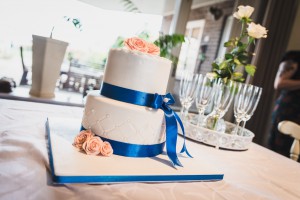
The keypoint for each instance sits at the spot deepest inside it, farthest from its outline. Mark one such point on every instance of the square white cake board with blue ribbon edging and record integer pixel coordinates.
(68, 165)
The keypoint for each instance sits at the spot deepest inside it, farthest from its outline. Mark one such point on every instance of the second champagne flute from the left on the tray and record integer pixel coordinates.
(204, 95)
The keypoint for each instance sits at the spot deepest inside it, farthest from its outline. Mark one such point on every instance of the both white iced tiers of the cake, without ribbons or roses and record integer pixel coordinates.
(125, 122)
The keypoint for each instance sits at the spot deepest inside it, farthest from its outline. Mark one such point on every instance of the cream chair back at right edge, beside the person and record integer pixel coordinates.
(292, 129)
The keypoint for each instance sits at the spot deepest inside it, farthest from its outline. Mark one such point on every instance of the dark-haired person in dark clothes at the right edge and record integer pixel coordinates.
(287, 105)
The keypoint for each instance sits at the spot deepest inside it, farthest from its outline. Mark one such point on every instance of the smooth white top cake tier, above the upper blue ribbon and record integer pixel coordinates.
(137, 71)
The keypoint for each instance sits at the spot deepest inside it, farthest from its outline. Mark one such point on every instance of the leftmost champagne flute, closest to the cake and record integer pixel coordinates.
(187, 91)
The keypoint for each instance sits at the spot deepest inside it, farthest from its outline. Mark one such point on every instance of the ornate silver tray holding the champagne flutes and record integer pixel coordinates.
(218, 139)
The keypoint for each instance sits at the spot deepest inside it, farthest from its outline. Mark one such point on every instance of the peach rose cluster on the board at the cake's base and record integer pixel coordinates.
(92, 145)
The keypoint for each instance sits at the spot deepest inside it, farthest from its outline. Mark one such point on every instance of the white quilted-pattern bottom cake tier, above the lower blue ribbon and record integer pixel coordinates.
(125, 122)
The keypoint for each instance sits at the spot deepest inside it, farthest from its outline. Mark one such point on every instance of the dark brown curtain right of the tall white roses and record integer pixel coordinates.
(278, 17)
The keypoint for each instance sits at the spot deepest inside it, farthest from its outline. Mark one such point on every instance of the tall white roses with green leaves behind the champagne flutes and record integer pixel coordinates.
(238, 56)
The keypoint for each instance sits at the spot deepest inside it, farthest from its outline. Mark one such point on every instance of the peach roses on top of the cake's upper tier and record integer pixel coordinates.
(138, 44)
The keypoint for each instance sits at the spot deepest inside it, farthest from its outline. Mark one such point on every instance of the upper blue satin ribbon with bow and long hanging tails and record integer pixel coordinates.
(154, 101)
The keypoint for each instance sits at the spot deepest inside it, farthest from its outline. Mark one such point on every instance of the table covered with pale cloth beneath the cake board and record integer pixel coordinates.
(257, 173)
